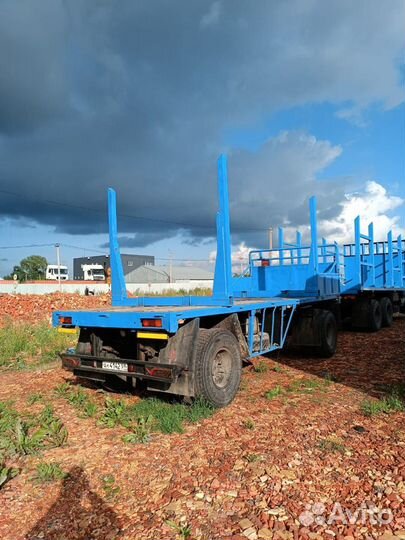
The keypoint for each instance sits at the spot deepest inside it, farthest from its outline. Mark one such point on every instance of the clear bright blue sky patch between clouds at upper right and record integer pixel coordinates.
(373, 149)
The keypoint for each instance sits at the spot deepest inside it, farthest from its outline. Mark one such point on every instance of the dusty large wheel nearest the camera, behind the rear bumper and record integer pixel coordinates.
(218, 366)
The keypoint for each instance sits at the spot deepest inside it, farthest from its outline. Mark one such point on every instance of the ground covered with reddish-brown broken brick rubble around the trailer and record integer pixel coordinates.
(299, 465)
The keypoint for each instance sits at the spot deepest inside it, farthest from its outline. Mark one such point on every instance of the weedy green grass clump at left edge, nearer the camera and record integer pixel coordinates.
(29, 434)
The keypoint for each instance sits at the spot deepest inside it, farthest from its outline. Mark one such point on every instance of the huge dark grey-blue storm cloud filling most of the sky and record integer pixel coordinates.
(138, 95)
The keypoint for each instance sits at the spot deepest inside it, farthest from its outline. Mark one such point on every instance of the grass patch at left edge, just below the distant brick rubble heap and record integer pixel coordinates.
(30, 345)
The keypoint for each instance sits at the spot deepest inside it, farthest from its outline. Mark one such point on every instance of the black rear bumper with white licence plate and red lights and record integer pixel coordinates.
(91, 367)
